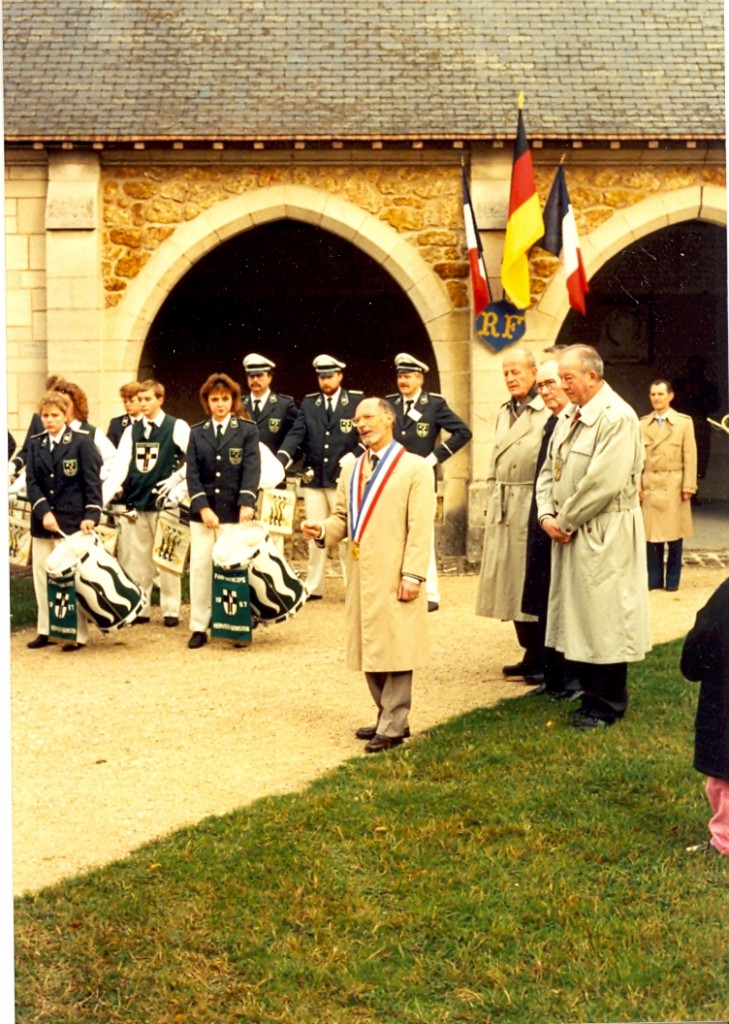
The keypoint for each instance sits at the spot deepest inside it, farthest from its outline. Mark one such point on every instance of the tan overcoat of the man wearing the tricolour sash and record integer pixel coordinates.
(384, 634)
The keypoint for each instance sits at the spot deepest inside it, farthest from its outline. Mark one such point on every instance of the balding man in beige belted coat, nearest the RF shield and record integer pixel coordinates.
(511, 480)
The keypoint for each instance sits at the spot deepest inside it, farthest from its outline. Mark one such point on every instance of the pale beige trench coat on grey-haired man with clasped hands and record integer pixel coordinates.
(598, 603)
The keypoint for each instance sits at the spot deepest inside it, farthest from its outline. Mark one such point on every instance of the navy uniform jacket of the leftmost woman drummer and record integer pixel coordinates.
(67, 483)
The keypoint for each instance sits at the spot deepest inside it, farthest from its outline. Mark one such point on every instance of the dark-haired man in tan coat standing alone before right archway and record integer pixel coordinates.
(668, 485)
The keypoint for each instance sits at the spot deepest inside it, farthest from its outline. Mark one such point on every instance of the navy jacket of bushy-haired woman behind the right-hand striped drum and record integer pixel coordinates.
(224, 477)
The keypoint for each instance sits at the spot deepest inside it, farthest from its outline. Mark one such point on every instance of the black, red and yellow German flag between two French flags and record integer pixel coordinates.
(525, 227)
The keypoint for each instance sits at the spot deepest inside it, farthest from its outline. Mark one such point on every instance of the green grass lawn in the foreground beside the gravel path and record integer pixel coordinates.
(501, 869)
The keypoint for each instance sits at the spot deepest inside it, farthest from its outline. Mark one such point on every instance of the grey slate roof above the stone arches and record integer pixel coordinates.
(363, 69)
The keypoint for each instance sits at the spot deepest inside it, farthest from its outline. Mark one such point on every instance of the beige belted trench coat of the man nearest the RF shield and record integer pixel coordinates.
(511, 482)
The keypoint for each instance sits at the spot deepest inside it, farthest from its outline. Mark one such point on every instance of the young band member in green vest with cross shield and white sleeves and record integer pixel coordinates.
(148, 465)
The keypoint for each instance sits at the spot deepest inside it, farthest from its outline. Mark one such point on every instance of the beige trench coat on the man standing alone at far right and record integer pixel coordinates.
(670, 468)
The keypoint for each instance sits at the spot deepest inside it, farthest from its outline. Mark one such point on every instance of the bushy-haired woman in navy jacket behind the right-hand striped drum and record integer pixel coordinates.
(224, 468)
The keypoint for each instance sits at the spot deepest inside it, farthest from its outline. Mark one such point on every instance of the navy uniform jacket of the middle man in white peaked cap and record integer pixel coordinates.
(324, 444)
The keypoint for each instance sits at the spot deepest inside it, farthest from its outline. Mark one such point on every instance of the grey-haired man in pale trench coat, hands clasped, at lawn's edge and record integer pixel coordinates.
(587, 500)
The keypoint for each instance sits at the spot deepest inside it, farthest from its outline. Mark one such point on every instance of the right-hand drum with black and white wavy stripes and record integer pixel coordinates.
(277, 593)
